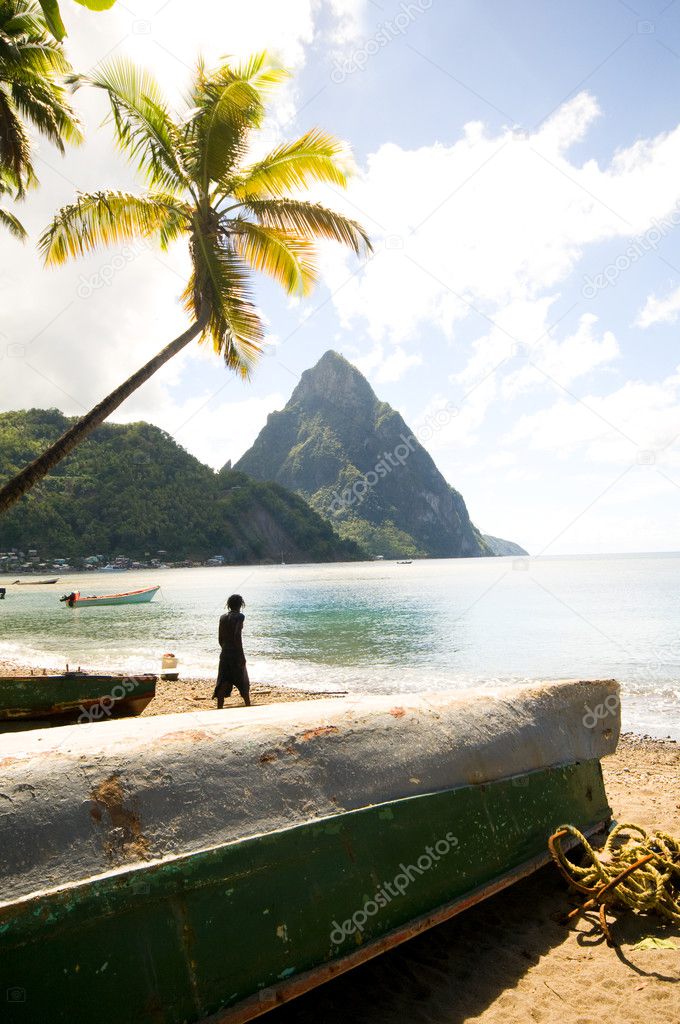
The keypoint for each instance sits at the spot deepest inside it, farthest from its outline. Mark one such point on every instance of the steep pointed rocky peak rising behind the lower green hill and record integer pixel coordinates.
(358, 463)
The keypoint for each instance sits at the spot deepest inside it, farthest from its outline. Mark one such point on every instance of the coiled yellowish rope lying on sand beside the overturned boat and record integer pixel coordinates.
(634, 869)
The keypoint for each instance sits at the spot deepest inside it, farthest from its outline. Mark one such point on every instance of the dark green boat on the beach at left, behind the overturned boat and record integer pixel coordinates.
(74, 695)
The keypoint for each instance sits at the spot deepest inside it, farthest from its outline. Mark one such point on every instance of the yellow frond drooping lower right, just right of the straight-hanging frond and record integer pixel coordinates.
(287, 259)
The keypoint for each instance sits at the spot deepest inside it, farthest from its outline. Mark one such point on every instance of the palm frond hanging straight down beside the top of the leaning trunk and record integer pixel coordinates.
(221, 282)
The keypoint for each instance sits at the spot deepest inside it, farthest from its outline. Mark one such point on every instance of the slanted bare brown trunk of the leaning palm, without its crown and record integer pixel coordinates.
(35, 472)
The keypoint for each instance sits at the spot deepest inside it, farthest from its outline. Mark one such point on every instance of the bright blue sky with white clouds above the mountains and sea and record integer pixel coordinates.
(519, 169)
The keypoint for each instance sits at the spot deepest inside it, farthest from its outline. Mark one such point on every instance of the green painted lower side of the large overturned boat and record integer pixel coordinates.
(177, 941)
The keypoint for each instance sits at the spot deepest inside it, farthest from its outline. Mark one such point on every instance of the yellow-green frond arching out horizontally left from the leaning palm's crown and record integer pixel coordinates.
(108, 218)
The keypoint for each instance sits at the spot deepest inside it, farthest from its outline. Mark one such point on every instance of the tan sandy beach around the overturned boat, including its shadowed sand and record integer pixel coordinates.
(512, 960)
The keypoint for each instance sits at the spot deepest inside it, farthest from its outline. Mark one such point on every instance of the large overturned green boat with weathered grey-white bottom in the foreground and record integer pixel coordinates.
(217, 865)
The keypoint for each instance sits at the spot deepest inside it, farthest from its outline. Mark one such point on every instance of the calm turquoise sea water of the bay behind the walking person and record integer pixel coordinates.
(380, 627)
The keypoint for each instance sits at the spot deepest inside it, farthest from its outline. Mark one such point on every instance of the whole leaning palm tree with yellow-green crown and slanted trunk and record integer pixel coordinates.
(238, 216)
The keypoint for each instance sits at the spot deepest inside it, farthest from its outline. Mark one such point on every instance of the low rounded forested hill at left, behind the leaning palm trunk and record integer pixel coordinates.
(132, 490)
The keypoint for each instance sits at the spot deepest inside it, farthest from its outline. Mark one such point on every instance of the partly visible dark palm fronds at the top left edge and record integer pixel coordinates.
(33, 93)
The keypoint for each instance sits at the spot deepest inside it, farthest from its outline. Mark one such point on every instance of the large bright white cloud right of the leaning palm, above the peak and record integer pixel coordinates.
(495, 222)
